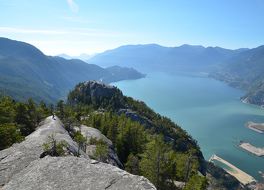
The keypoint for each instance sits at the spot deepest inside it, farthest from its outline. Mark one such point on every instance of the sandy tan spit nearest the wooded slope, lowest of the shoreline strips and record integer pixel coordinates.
(241, 176)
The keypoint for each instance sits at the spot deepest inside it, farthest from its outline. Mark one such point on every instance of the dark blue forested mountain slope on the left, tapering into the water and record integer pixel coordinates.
(26, 72)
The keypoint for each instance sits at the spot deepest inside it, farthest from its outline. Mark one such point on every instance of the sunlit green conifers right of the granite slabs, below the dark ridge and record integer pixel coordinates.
(146, 153)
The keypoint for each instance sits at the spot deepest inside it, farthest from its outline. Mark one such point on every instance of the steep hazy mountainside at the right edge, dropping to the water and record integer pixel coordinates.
(245, 71)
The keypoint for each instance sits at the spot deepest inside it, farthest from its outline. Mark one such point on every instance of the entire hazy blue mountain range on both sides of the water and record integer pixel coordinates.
(26, 72)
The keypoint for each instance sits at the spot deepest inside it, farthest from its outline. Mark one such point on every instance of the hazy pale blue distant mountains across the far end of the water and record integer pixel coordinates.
(153, 57)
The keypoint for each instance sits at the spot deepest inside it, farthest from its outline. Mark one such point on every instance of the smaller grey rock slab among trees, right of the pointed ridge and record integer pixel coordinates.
(90, 132)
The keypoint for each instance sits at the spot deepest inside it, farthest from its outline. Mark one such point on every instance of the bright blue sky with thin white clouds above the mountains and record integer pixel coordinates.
(90, 26)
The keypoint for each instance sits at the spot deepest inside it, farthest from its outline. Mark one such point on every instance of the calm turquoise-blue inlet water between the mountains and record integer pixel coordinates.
(207, 109)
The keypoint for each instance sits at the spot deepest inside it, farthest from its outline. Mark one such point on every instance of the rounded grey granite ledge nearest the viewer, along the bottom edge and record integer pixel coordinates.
(75, 173)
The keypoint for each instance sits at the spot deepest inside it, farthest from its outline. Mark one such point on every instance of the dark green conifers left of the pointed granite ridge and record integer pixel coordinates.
(19, 119)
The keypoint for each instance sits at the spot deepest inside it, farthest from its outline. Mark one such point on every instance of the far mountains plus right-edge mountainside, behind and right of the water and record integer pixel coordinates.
(241, 68)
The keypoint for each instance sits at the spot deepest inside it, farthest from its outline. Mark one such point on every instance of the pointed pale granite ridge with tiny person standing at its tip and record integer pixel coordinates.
(19, 156)
